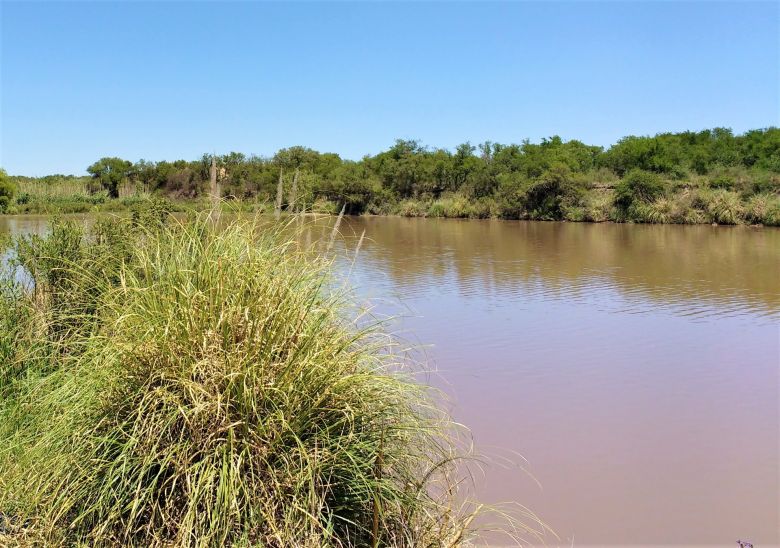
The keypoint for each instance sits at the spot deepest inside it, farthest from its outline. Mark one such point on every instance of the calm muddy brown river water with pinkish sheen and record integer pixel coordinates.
(635, 368)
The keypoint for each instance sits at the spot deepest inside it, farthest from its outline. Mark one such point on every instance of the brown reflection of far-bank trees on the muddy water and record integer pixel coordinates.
(697, 271)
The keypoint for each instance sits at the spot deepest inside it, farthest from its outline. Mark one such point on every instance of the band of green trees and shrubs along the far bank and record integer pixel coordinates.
(710, 176)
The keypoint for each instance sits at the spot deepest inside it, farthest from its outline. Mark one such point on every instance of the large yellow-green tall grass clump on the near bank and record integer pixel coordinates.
(226, 392)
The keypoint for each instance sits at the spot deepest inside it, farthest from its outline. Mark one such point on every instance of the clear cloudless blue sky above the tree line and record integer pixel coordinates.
(174, 80)
